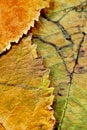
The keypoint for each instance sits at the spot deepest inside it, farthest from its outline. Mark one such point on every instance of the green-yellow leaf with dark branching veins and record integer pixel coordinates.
(59, 35)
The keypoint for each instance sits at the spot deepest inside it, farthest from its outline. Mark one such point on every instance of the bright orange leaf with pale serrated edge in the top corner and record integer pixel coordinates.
(16, 18)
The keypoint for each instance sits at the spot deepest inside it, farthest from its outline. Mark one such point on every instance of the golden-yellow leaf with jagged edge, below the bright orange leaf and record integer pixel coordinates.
(26, 98)
